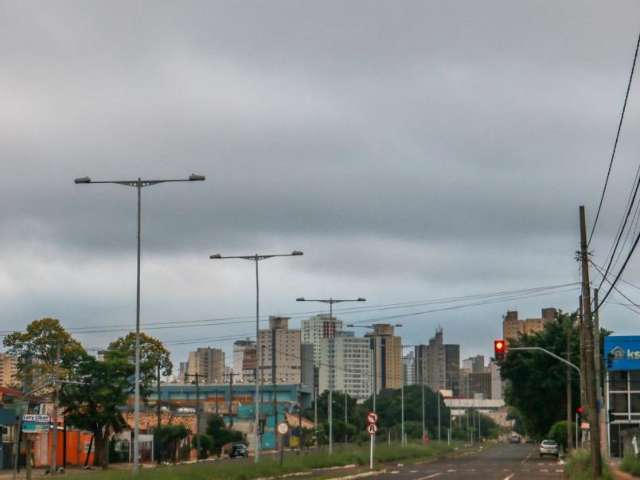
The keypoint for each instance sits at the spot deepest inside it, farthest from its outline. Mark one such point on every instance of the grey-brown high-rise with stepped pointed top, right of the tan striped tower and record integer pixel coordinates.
(438, 364)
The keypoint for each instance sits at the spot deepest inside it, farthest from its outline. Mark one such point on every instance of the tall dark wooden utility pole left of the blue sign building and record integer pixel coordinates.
(590, 380)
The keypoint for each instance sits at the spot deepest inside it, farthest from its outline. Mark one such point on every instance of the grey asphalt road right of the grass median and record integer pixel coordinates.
(502, 462)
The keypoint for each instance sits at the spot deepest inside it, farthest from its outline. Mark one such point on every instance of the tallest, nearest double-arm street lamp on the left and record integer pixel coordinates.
(138, 184)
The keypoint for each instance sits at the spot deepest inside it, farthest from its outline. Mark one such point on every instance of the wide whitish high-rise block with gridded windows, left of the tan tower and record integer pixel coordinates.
(345, 365)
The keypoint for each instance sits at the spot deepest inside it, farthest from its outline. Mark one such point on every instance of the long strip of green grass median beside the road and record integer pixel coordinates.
(269, 465)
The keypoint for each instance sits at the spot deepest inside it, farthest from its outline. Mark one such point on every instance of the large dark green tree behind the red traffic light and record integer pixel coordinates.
(536, 381)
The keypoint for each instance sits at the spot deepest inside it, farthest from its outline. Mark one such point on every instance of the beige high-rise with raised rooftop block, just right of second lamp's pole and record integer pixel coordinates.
(287, 345)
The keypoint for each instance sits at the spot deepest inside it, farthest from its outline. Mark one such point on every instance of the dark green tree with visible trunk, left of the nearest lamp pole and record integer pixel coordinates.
(94, 404)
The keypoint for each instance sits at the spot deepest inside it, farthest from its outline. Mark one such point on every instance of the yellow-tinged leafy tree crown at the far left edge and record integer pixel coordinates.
(38, 346)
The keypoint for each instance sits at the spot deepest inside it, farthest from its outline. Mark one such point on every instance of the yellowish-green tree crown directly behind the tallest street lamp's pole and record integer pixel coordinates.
(152, 354)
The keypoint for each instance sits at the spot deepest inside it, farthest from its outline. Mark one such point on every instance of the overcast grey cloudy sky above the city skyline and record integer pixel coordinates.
(413, 150)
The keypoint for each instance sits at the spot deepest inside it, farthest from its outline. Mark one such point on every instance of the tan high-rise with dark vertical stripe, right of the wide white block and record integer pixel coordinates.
(387, 350)
